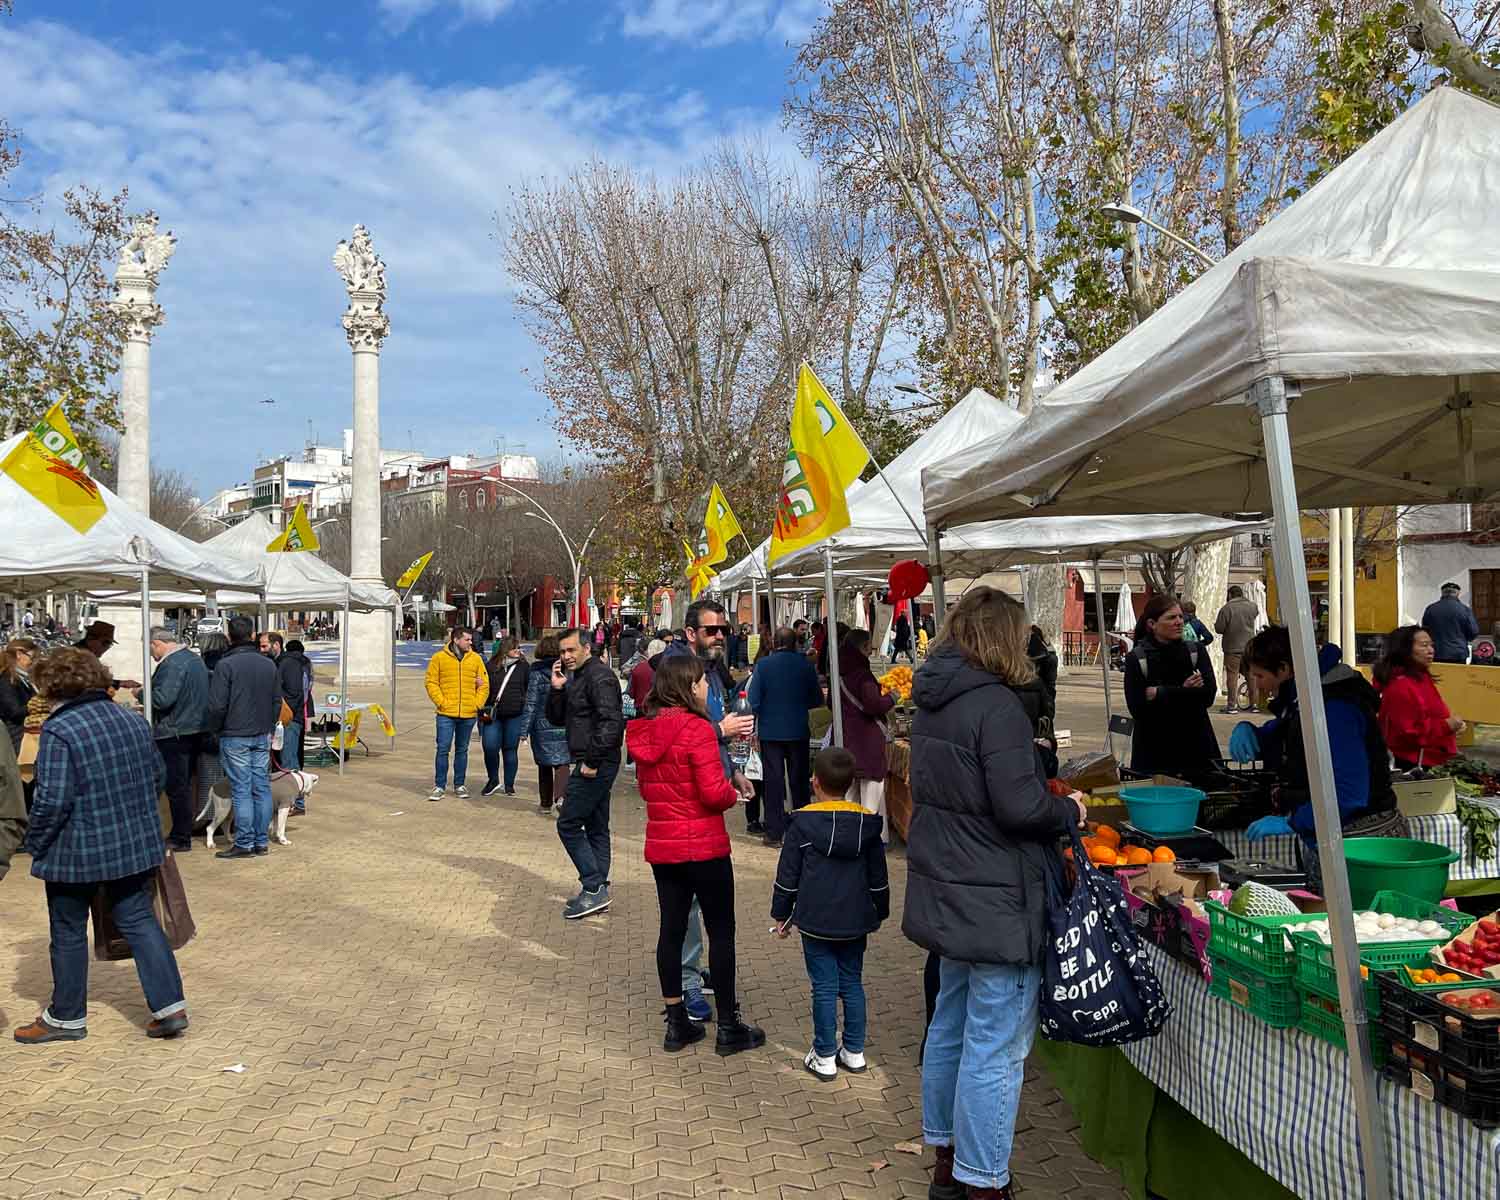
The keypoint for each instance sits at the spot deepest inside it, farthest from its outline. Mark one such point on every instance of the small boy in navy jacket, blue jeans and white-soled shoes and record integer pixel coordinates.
(833, 886)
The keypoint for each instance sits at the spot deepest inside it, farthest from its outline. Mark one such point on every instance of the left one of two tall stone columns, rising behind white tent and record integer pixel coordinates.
(143, 257)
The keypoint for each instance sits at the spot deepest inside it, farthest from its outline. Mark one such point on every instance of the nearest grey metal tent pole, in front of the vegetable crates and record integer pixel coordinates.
(1270, 397)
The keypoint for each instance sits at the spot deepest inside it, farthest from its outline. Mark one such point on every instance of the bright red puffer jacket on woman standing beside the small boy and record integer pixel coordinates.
(683, 785)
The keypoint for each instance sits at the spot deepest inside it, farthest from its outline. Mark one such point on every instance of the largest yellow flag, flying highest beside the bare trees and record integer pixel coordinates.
(823, 458)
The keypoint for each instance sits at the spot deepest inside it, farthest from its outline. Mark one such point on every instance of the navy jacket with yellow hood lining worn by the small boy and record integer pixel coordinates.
(832, 880)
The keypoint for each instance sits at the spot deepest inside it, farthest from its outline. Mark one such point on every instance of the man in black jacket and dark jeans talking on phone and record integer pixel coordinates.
(586, 703)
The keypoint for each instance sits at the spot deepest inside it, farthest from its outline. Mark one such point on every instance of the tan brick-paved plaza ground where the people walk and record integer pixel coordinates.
(416, 1019)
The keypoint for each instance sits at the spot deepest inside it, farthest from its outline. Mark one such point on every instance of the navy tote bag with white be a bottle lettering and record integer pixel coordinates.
(1097, 986)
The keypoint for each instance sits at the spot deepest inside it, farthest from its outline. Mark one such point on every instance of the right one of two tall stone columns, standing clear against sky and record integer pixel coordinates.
(367, 325)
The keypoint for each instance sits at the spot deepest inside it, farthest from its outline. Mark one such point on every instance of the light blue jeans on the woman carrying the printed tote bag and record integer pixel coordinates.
(974, 1066)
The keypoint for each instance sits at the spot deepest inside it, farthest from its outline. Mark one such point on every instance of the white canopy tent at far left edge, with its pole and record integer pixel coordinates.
(124, 550)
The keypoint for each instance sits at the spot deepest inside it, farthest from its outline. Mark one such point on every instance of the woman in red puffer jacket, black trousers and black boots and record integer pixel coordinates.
(683, 782)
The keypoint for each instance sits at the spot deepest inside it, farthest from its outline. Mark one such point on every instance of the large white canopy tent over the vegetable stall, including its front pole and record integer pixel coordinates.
(1351, 346)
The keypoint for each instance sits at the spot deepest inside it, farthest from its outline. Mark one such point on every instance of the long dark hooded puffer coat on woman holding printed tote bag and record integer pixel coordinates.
(983, 824)
